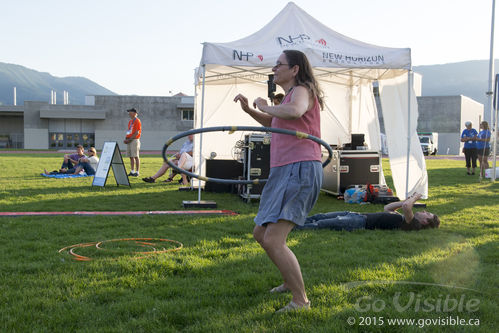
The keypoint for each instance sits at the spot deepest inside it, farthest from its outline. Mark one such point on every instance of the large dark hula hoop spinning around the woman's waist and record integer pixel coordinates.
(232, 129)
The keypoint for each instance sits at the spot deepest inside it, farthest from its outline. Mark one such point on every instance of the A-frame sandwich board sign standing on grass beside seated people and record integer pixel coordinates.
(110, 157)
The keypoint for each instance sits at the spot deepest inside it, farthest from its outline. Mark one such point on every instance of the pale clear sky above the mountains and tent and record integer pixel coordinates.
(151, 47)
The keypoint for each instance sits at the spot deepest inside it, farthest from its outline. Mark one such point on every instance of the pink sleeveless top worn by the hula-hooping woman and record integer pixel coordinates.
(287, 149)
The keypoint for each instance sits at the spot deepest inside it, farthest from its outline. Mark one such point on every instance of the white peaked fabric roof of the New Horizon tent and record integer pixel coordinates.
(327, 50)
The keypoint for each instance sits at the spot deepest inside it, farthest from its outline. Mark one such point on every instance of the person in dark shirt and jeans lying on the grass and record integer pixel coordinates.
(388, 219)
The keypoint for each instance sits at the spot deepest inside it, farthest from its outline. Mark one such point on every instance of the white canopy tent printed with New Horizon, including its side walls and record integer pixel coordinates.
(346, 70)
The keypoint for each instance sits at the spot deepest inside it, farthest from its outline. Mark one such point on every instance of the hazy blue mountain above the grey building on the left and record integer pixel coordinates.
(32, 85)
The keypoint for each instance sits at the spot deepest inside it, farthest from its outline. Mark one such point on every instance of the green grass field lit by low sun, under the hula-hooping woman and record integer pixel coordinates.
(219, 281)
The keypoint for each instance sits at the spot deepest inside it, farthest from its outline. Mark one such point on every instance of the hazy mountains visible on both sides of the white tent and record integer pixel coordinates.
(468, 78)
